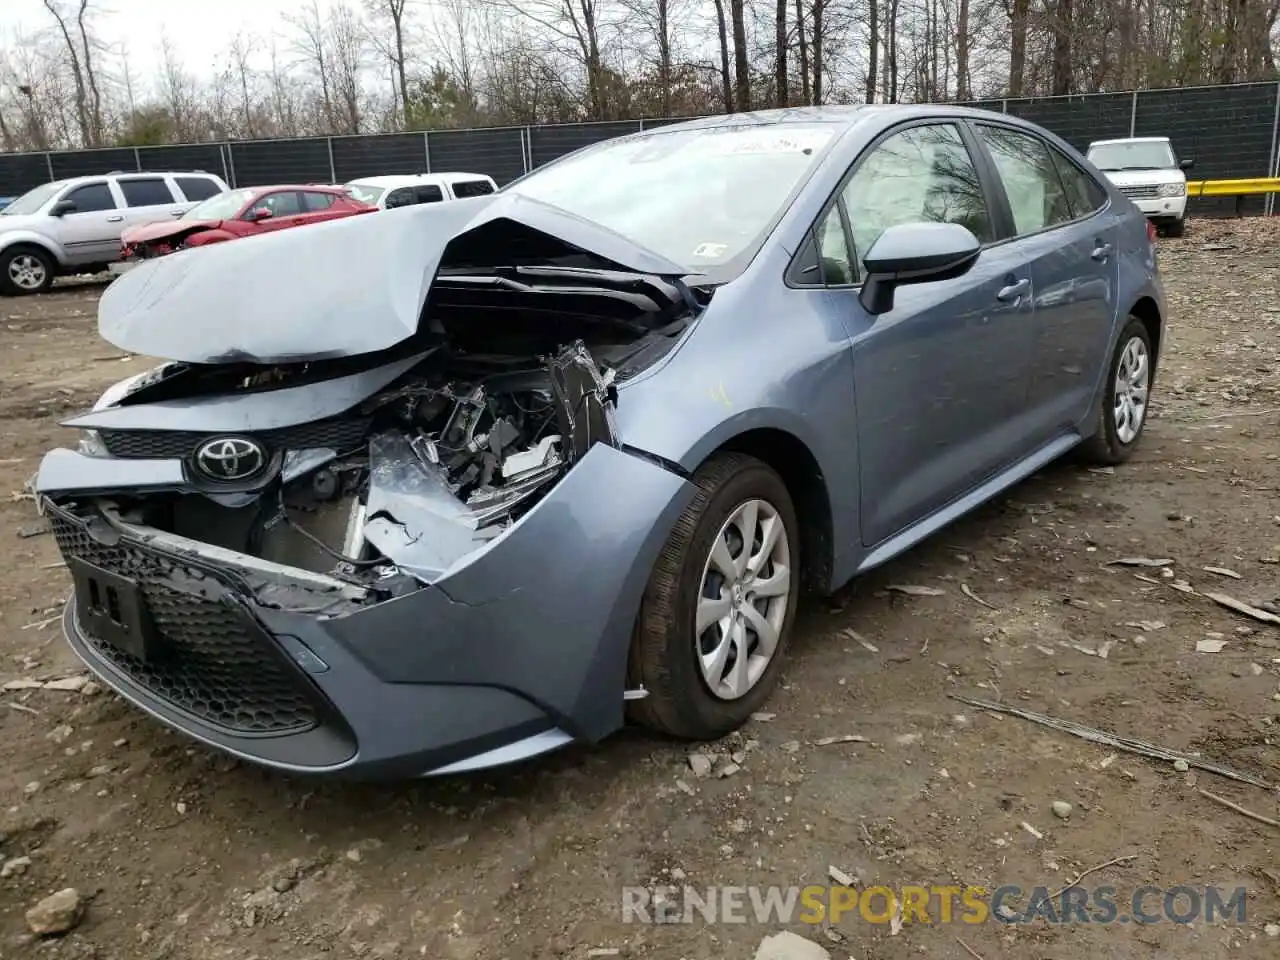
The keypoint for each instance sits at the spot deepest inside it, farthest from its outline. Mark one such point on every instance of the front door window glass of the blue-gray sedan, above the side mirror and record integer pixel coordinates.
(924, 175)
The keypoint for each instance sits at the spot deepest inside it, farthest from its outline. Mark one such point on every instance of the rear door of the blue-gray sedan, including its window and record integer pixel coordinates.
(1068, 236)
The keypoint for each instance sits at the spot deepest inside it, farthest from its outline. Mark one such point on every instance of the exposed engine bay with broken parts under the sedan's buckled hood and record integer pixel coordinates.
(391, 493)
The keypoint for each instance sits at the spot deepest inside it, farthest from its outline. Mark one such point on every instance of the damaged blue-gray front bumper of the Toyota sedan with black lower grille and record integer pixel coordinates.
(519, 650)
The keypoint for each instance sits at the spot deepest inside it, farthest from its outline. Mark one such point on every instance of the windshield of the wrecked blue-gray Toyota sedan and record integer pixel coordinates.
(701, 198)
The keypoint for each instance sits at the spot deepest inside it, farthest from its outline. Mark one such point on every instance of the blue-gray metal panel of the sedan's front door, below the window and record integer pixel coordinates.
(939, 382)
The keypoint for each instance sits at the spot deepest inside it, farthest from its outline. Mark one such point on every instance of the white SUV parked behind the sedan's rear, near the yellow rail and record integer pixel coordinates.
(1148, 171)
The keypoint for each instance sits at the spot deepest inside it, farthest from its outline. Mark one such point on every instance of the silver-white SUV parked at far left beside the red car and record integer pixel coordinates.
(74, 227)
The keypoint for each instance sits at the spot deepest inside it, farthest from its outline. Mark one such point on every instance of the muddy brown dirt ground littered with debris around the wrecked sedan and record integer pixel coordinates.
(182, 853)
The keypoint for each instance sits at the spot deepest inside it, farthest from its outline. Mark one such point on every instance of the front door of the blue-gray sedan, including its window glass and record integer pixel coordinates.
(940, 377)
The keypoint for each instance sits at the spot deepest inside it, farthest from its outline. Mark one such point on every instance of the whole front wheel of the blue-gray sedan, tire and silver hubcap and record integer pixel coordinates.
(717, 612)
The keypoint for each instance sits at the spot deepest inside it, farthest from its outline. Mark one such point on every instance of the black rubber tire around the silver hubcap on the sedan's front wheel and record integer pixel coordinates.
(664, 648)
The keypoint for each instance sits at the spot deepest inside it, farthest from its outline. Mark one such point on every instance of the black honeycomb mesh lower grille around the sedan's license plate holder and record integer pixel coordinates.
(216, 668)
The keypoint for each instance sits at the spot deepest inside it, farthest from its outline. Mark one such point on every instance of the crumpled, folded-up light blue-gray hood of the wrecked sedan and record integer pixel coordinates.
(339, 289)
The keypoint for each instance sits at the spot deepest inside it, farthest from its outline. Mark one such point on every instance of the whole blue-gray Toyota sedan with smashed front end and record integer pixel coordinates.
(454, 486)
